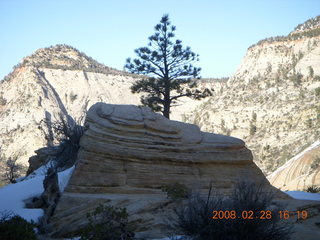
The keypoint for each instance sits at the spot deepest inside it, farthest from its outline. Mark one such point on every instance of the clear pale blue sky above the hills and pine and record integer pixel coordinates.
(109, 31)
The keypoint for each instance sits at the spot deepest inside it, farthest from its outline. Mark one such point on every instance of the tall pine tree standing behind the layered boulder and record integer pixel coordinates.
(168, 68)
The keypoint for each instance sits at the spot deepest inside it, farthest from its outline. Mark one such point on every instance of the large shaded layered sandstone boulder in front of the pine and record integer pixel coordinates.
(127, 153)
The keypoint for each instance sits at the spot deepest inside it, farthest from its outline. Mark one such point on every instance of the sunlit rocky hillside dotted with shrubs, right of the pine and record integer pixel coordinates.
(272, 101)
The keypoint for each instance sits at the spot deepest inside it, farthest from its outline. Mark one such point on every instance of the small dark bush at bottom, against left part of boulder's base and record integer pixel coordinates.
(107, 223)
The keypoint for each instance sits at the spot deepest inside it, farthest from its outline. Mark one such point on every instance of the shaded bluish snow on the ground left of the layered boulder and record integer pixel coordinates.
(12, 196)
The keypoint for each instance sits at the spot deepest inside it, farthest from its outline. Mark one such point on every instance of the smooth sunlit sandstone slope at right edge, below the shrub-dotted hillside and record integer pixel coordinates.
(299, 173)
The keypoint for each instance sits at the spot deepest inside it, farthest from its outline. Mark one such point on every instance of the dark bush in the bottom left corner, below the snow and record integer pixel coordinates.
(16, 228)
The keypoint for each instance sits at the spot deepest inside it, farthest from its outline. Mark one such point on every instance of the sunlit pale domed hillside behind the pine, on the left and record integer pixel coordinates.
(58, 80)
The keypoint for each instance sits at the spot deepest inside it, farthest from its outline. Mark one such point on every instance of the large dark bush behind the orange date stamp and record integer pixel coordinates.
(195, 219)
